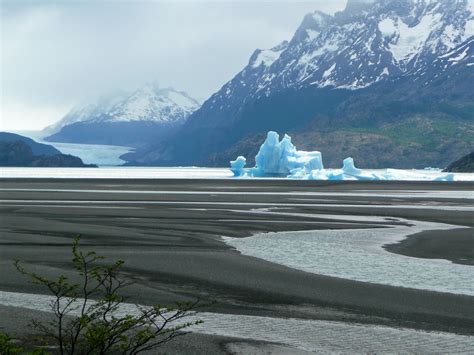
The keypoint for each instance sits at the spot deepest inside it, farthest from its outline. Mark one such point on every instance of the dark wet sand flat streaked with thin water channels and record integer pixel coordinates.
(171, 242)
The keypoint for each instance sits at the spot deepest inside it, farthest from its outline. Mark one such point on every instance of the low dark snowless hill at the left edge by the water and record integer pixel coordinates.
(20, 151)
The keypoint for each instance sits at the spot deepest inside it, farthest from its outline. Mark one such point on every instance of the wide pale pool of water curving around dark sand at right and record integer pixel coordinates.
(359, 255)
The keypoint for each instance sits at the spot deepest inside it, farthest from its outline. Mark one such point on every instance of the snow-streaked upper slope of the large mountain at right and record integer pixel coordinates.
(370, 41)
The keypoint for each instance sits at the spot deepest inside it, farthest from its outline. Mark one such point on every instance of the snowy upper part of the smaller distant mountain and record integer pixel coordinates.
(147, 104)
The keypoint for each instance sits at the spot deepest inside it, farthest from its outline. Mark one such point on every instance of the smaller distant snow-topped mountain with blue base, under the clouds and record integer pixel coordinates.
(150, 107)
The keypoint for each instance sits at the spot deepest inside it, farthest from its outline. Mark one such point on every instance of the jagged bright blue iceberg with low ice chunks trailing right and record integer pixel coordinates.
(280, 158)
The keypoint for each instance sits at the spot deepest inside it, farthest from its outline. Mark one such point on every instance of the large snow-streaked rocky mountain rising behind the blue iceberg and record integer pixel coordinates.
(378, 62)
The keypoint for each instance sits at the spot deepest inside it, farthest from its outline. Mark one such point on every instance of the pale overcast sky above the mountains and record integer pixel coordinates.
(55, 54)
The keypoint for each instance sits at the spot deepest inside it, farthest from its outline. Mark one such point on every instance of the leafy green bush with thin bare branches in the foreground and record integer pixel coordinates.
(87, 315)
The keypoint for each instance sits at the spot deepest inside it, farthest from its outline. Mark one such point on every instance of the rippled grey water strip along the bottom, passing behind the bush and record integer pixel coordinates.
(312, 335)
